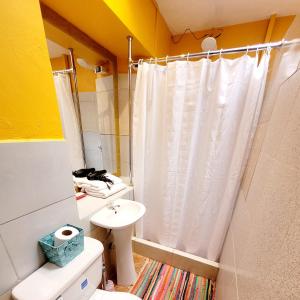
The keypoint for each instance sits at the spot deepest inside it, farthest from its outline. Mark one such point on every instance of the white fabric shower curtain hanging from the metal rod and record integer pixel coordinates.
(193, 124)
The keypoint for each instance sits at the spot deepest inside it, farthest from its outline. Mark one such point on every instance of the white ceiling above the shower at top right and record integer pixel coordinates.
(206, 14)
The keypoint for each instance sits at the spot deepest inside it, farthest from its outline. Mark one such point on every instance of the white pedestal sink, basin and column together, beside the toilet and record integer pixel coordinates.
(120, 216)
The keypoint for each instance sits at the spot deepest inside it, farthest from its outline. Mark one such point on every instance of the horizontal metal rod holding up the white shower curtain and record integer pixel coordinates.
(253, 48)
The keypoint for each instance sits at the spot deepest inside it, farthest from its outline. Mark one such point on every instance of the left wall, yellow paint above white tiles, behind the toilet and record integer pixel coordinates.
(36, 185)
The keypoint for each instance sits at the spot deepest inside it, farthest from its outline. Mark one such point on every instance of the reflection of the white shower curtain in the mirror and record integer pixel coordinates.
(69, 120)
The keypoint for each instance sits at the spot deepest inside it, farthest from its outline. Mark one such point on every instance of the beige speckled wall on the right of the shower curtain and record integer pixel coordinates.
(260, 257)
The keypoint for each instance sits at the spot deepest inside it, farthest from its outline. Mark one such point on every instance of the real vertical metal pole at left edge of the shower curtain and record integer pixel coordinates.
(130, 38)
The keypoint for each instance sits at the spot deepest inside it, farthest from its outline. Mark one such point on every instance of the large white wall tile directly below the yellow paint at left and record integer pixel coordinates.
(33, 175)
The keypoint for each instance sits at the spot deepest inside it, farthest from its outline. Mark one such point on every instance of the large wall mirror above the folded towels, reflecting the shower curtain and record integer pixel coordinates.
(88, 97)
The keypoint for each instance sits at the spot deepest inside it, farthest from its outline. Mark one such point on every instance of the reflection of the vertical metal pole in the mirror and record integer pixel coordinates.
(76, 102)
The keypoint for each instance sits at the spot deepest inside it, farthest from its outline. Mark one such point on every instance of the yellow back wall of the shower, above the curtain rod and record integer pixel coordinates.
(235, 35)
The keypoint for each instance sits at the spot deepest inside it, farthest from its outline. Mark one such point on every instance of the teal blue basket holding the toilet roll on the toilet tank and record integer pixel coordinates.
(65, 252)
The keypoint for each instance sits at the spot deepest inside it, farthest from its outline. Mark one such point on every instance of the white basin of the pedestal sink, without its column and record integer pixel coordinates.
(119, 215)
